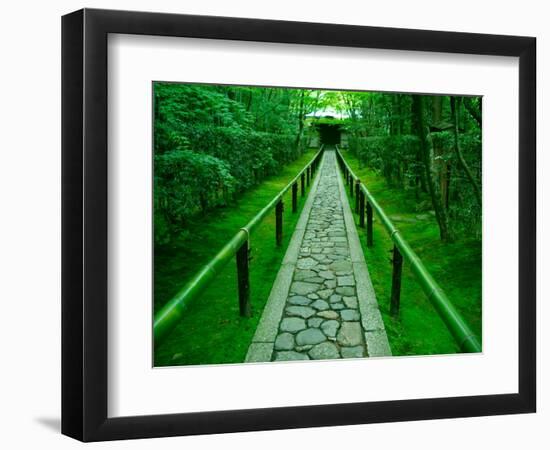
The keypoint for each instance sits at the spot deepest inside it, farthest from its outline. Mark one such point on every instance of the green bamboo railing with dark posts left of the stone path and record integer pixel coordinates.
(168, 317)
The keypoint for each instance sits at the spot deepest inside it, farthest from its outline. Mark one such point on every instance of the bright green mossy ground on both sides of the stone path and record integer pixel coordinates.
(212, 332)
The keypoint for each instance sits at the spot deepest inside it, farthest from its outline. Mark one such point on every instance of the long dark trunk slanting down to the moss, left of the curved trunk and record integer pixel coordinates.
(426, 151)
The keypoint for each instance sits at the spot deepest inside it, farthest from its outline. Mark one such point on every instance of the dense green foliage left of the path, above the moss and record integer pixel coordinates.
(214, 142)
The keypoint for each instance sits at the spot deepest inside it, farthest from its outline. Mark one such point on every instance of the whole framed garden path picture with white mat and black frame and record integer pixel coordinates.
(273, 224)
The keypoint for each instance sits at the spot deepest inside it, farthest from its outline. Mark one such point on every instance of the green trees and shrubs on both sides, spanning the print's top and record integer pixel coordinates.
(212, 142)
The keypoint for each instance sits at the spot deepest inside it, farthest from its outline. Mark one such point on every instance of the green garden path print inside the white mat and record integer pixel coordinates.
(309, 224)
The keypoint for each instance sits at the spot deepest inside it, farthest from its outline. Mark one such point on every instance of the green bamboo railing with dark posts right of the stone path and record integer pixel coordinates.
(365, 203)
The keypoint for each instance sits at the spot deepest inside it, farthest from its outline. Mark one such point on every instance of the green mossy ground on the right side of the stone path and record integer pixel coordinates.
(455, 266)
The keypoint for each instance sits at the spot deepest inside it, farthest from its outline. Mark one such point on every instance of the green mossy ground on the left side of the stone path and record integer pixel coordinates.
(212, 332)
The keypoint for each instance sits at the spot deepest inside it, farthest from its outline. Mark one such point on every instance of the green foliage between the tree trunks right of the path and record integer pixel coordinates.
(383, 137)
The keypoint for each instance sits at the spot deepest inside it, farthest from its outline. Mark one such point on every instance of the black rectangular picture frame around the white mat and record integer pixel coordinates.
(84, 224)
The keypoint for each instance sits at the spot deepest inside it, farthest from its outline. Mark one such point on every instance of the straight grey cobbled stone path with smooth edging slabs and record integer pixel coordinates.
(323, 305)
